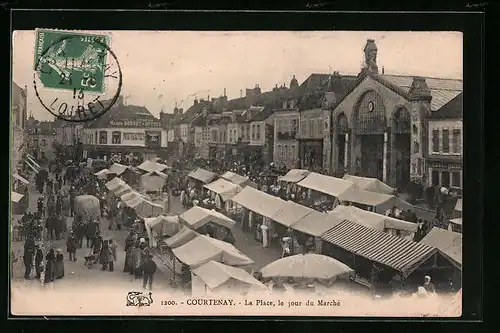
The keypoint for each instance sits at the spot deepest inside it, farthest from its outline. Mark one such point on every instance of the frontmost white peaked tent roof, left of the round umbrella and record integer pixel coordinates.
(215, 274)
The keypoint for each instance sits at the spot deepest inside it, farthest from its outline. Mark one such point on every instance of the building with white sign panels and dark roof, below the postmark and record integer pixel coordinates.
(123, 130)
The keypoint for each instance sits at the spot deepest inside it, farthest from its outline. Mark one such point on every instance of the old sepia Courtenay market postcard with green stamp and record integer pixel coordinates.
(217, 173)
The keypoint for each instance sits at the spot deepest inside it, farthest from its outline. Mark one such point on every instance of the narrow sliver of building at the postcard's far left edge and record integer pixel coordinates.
(18, 121)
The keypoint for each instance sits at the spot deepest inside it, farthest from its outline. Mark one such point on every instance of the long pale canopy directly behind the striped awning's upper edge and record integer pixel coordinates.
(372, 220)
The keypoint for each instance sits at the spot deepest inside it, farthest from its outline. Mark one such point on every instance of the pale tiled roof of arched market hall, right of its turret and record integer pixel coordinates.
(442, 90)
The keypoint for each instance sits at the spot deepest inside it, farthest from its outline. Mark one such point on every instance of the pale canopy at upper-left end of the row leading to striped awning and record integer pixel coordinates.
(258, 202)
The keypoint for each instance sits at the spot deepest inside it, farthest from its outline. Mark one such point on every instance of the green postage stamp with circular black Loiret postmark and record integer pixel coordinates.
(71, 60)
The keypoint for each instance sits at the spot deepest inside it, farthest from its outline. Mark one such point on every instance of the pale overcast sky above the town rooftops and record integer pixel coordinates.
(161, 68)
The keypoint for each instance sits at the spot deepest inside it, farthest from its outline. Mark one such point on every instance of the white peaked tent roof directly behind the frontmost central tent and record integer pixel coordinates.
(203, 249)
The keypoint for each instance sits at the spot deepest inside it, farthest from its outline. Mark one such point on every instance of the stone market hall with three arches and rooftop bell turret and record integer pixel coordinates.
(379, 125)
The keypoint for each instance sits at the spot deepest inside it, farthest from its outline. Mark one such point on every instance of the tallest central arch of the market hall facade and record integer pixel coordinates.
(369, 126)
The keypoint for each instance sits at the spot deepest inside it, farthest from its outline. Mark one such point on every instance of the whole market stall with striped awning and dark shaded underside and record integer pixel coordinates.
(380, 257)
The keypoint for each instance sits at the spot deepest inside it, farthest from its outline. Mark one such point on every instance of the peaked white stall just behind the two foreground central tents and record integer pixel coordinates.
(207, 221)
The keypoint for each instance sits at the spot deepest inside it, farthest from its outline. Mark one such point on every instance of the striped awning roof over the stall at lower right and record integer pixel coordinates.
(401, 254)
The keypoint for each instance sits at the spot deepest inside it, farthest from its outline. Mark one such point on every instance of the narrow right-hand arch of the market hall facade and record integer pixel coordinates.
(401, 129)
